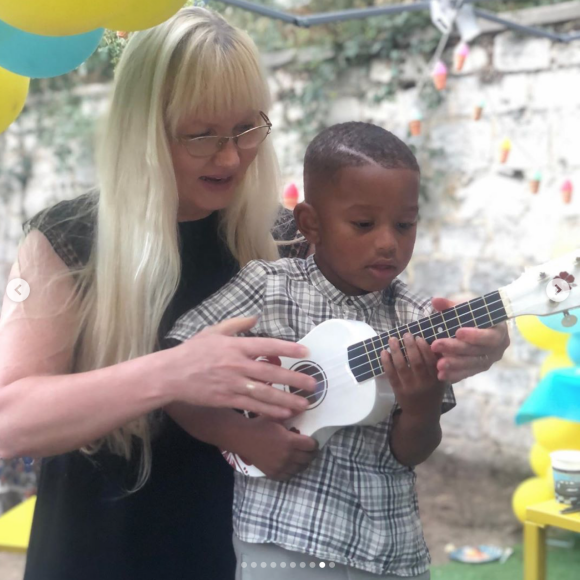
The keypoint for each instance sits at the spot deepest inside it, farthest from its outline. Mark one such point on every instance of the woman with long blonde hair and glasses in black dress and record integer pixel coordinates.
(187, 194)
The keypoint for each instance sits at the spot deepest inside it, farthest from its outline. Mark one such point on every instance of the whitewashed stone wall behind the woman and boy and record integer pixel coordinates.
(480, 226)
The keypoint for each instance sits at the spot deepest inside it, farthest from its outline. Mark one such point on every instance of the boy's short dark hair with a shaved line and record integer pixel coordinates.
(354, 144)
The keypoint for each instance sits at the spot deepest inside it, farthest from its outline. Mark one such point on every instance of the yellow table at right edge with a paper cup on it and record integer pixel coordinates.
(538, 518)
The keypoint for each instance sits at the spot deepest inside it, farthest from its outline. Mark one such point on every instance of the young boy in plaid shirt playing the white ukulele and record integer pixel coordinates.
(353, 513)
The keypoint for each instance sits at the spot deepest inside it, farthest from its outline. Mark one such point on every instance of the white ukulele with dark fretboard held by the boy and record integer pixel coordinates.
(345, 354)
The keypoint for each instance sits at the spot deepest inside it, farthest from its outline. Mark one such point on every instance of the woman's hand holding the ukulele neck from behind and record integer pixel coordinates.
(472, 351)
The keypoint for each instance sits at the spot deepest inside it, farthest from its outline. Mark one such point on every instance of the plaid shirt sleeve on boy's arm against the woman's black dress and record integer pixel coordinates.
(243, 296)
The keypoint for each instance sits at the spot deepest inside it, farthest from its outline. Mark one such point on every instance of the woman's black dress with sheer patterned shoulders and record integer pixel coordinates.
(179, 525)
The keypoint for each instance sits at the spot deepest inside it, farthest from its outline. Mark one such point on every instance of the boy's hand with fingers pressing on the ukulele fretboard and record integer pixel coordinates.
(414, 381)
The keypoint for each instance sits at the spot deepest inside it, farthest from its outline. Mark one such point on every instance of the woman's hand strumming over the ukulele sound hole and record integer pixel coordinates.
(217, 369)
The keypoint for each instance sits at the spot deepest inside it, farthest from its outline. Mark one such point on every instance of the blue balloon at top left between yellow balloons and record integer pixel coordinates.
(36, 56)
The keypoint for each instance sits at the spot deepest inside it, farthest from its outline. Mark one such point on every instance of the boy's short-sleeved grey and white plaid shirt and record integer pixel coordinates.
(355, 504)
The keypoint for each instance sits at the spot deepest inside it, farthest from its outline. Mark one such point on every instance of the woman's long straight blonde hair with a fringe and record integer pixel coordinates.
(193, 64)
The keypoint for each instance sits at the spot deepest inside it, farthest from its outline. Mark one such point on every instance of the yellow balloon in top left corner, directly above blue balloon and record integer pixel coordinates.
(59, 17)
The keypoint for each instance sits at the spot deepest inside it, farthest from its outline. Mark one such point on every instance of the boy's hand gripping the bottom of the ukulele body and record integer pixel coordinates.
(275, 450)
